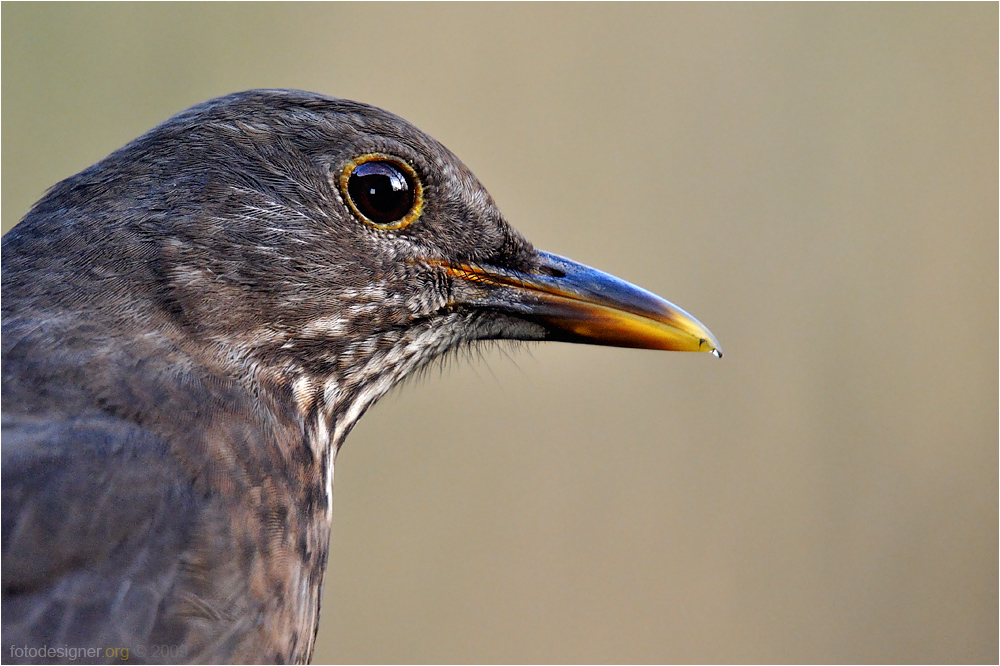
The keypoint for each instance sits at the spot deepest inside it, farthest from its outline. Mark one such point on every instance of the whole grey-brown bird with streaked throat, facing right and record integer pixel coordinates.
(191, 328)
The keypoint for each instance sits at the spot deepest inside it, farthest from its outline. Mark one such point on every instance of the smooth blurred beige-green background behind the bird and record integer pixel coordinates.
(816, 183)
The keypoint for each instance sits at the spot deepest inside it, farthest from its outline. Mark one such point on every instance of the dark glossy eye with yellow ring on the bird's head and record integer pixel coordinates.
(382, 190)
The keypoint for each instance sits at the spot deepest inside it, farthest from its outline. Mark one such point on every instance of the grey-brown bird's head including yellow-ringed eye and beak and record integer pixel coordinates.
(326, 245)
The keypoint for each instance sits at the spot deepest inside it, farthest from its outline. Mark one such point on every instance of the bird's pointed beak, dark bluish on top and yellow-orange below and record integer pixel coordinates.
(577, 303)
